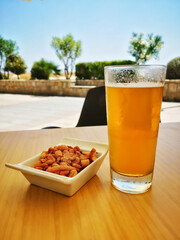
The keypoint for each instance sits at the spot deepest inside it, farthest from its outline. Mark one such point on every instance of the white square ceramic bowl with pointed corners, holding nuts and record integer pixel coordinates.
(62, 184)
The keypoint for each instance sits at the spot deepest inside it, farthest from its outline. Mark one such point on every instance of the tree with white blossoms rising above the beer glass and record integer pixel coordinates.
(143, 49)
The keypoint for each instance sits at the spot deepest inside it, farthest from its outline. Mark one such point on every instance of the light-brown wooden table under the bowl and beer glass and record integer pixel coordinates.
(97, 210)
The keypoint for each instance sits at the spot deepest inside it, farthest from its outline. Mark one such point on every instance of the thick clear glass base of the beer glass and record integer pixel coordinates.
(128, 184)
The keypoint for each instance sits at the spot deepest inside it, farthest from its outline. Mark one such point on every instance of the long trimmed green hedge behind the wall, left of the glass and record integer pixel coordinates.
(95, 70)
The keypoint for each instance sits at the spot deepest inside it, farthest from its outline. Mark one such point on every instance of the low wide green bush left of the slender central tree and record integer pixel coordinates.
(42, 69)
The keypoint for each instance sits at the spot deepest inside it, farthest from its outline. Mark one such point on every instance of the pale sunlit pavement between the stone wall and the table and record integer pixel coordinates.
(23, 112)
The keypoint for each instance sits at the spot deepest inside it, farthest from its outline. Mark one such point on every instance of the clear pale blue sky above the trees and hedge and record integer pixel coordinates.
(104, 27)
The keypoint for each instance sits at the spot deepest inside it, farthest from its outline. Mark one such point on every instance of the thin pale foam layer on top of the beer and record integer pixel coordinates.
(135, 84)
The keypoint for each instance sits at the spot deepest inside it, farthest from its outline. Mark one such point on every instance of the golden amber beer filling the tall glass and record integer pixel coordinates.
(133, 115)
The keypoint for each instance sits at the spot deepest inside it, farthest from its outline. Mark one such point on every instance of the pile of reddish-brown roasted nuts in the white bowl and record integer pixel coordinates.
(65, 160)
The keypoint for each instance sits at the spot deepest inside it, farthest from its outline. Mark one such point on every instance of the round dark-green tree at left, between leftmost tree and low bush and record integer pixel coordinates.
(15, 64)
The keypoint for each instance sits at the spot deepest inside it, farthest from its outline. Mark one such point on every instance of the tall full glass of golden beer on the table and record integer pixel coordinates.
(133, 98)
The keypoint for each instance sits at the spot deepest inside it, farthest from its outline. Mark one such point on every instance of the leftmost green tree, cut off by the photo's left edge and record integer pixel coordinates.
(7, 48)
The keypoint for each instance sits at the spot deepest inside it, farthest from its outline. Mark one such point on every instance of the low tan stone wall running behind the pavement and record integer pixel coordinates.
(68, 88)
